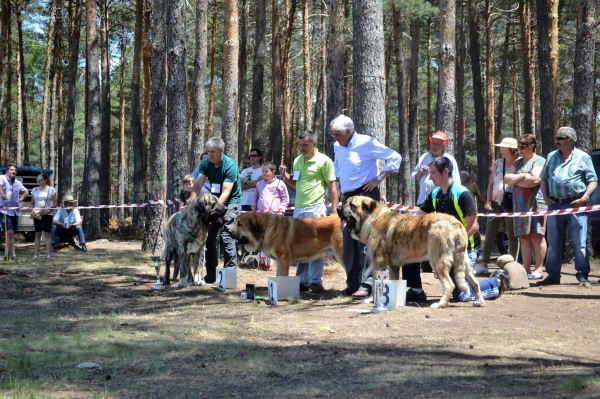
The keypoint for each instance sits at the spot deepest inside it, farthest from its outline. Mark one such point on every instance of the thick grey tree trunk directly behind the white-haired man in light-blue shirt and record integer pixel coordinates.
(369, 83)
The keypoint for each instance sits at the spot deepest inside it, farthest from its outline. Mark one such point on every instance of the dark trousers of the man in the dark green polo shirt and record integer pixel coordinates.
(227, 243)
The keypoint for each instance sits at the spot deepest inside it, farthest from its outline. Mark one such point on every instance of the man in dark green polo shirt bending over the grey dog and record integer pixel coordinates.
(223, 174)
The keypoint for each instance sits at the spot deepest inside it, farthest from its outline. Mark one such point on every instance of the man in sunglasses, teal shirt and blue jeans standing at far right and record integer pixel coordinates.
(568, 181)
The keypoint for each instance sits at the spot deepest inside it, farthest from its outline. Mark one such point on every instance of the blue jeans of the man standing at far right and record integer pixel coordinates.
(555, 228)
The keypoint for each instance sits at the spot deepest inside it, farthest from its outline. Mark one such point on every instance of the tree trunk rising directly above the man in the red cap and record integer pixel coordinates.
(446, 104)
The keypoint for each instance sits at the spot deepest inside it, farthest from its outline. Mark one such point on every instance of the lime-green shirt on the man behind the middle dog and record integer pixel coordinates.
(314, 175)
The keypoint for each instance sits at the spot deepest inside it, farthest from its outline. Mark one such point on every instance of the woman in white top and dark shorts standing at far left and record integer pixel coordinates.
(43, 196)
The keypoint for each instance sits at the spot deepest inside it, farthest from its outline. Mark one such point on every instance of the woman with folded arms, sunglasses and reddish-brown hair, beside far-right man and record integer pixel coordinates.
(525, 184)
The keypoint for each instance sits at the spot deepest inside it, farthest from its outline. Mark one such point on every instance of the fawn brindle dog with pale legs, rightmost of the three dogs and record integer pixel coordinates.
(397, 239)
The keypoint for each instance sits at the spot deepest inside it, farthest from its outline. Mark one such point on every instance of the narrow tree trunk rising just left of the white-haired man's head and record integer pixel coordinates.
(335, 69)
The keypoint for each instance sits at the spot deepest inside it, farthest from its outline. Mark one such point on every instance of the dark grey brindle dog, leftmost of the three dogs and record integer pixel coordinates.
(185, 237)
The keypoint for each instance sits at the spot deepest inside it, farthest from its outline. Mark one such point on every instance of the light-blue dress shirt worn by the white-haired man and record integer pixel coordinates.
(356, 164)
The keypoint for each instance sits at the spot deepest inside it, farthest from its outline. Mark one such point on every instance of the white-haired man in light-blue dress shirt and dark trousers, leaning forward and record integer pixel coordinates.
(356, 165)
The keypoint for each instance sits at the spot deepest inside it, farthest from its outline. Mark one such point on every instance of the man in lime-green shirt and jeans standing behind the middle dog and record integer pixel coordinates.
(312, 175)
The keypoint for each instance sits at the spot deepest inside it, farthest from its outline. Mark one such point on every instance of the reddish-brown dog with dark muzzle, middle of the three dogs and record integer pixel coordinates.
(289, 240)
